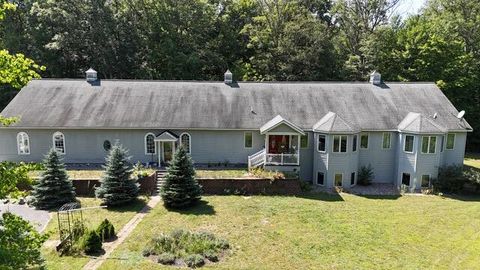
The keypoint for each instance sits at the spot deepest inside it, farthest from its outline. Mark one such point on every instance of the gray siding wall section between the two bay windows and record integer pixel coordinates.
(381, 160)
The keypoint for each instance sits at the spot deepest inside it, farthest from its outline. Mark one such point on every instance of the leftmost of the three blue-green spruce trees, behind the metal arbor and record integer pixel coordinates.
(53, 189)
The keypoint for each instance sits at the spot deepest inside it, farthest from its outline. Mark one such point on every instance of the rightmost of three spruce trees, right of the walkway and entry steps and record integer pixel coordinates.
(181, 189)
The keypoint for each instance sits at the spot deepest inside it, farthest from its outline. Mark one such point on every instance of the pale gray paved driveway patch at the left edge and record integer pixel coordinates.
(38, 218)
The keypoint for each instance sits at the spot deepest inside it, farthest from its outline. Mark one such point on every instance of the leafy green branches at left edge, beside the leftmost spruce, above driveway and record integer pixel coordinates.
(15, 177)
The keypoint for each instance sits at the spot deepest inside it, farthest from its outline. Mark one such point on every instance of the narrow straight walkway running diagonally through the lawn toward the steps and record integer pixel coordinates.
(109, 247)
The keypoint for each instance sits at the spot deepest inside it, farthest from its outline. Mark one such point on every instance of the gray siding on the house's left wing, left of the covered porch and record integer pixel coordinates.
(86, 146)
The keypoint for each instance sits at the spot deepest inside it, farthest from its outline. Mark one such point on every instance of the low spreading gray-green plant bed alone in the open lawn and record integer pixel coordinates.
(191, 247)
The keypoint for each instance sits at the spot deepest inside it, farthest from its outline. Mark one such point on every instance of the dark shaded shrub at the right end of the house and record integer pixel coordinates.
(450, 179)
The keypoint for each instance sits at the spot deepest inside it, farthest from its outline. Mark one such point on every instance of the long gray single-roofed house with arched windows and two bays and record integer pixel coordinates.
(324, 130)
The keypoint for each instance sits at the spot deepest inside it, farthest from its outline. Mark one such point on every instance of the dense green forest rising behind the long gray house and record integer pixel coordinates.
(258, 40)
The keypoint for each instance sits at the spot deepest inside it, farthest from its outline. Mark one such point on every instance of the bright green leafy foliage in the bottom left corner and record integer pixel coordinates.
(20, 243)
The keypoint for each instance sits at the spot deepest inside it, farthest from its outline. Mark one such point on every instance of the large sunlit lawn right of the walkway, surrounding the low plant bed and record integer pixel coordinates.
(323, 231)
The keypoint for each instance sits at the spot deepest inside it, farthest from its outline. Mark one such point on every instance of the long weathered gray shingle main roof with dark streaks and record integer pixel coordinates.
(51, 103)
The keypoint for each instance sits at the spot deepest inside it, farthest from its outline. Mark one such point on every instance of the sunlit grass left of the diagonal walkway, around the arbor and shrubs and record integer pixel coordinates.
(118, 216)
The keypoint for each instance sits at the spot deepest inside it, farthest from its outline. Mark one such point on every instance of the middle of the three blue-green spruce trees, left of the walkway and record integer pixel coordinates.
(117, 186)
